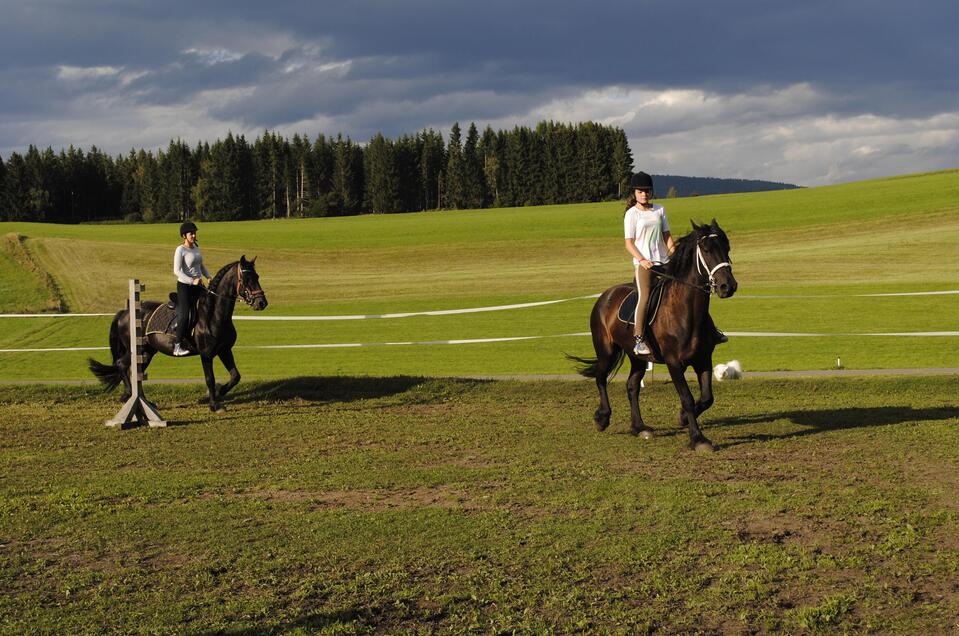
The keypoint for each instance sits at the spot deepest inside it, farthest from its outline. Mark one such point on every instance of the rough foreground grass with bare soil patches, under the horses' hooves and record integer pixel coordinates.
(427, 505)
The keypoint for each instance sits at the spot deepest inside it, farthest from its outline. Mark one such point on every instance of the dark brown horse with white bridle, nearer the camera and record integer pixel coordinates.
(681, 333)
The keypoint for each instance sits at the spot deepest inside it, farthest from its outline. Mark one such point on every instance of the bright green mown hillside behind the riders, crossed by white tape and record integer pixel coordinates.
(890, 235)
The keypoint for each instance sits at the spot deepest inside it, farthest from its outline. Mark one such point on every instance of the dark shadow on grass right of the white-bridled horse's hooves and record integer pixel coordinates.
(824, 420)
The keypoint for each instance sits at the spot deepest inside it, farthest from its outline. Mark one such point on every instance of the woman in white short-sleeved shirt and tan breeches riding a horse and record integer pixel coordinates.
(649, 242)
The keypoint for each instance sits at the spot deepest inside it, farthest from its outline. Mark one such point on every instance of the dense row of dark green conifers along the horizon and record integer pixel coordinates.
(233, 179)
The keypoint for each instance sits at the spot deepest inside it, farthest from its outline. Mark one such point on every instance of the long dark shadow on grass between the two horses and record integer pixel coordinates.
(339, 389)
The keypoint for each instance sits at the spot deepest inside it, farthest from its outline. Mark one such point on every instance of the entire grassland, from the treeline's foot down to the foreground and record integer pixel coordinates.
(379, 489)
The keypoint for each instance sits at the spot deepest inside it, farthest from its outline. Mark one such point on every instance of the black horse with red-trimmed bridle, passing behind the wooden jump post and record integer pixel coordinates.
(213, 336)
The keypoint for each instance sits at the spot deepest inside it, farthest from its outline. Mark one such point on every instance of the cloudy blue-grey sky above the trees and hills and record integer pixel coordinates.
(807, 92)
